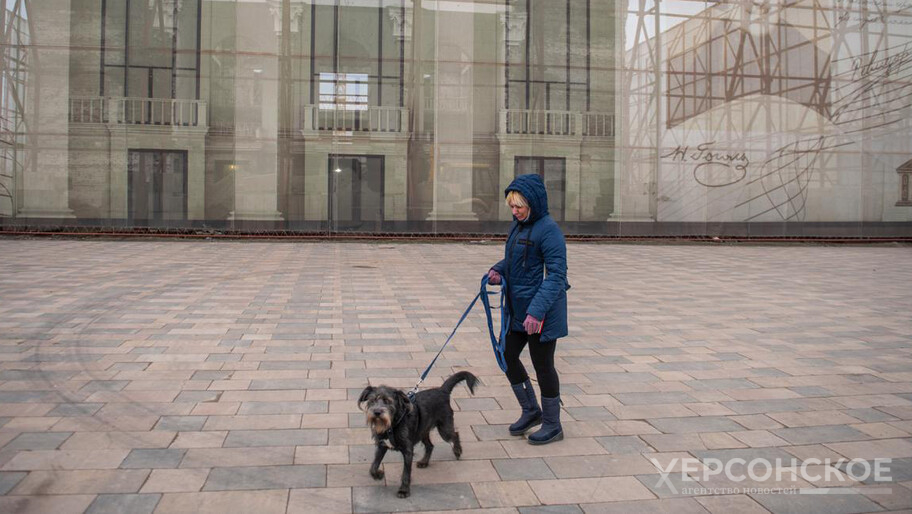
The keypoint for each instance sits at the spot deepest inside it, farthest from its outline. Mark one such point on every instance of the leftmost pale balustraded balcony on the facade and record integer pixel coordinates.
(138, 111)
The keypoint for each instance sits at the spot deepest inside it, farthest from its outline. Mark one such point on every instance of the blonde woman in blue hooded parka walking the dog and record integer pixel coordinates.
(535, 266)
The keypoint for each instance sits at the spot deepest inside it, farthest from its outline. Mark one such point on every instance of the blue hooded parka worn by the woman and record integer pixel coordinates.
(535, 264)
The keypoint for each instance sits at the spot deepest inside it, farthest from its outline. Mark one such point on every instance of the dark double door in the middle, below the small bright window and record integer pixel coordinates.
(355, 192)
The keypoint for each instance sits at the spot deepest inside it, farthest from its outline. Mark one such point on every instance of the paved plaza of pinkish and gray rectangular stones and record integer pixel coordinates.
(211, 376)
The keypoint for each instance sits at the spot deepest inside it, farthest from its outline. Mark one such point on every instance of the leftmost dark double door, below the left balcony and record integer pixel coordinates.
(157, 190)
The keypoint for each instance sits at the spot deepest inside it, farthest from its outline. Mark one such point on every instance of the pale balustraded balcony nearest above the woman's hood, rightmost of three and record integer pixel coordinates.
(556, 123)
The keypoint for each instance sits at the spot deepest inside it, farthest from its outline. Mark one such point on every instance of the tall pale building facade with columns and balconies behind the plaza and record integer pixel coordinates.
(376, 116)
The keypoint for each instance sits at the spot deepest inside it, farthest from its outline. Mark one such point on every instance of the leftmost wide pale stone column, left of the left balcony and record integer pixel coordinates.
(45, 184)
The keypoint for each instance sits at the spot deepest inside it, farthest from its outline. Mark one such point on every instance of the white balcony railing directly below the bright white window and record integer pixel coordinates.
(370, 119)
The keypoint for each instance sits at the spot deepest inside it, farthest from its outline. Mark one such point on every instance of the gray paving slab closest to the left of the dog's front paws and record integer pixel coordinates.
(265, 477)
